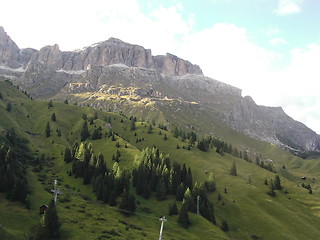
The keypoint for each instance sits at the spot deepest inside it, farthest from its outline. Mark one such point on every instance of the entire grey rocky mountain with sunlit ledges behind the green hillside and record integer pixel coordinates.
(120, 76)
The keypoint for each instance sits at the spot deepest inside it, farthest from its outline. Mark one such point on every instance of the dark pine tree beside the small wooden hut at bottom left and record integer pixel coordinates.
(51, 221)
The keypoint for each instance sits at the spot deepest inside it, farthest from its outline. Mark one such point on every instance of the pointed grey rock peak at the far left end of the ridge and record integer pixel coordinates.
(9, 51)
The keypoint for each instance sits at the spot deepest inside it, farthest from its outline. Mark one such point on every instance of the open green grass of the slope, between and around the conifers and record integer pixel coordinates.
(247, 208)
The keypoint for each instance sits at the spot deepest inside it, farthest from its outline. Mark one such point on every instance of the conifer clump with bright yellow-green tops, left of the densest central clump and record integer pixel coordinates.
(108, 184)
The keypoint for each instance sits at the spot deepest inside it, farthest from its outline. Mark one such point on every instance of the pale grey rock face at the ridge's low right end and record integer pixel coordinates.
(273, 125)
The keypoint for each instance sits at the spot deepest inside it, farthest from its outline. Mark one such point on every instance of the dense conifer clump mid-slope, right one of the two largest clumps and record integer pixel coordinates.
(156, 174)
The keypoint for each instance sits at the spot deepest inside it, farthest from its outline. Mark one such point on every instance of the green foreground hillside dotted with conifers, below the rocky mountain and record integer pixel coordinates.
(243, 209)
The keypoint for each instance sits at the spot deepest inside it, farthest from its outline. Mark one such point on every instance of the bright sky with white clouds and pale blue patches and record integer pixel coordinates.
(268, 48)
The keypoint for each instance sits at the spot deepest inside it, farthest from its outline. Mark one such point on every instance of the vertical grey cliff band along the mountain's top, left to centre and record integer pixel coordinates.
(112, 51)
